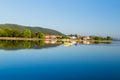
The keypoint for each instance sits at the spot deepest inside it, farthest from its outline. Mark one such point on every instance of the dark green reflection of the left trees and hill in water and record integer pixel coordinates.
(13, 45)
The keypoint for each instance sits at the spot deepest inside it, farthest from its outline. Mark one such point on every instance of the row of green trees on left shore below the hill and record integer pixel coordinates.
(8, 32)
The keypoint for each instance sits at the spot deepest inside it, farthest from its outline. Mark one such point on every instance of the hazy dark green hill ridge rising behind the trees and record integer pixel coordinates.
(33, 29)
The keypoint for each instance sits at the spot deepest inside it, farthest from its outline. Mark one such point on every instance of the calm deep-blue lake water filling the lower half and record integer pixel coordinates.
(60, 61)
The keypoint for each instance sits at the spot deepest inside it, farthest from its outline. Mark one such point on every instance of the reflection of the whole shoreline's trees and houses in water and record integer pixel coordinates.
(14, 45)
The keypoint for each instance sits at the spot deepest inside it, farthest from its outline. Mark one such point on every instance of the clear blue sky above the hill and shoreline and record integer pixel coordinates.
(84, 17)
